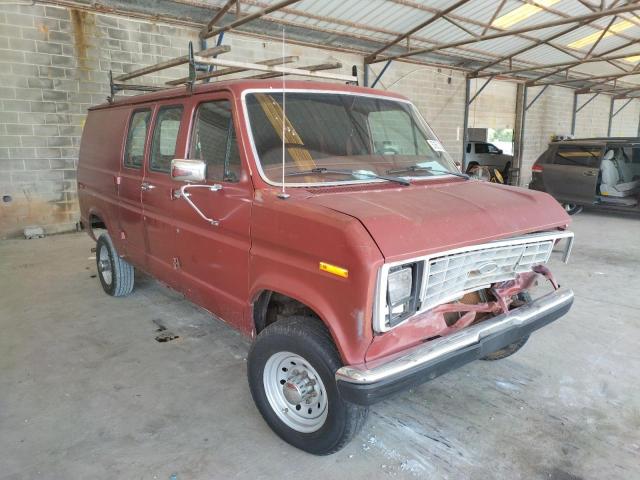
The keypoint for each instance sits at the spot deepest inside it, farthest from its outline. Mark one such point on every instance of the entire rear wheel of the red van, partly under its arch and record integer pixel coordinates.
(122, 273)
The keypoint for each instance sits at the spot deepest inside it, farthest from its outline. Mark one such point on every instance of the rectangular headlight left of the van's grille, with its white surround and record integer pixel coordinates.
(398, 294)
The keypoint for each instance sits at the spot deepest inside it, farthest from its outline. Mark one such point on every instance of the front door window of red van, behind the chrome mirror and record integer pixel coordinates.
(214, 141)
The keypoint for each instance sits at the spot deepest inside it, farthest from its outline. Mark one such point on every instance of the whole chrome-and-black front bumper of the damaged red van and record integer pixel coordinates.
(369, 383)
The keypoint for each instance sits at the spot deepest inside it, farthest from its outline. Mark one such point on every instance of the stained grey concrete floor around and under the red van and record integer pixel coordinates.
(87, 392)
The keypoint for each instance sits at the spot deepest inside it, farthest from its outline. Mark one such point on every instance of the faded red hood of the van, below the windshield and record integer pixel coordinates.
(433, 216)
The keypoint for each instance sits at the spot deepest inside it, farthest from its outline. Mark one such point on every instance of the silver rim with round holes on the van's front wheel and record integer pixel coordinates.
(295, 392)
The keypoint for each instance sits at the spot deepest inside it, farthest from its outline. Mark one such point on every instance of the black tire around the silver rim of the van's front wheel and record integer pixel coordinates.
(307, 338)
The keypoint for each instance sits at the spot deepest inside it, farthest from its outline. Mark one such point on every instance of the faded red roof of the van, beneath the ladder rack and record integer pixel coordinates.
(238, 86)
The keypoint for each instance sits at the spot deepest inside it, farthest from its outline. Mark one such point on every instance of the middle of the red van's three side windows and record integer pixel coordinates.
(165, 136)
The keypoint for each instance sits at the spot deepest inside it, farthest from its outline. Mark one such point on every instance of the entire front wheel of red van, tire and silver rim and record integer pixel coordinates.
(291, 369)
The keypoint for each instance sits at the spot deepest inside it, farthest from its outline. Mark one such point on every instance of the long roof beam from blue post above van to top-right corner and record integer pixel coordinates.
(508, 33)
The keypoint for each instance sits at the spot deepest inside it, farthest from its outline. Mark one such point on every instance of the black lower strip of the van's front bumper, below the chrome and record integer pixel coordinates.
(368, 394)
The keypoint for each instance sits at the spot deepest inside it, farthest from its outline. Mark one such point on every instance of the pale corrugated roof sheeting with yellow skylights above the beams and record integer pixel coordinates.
(365, 26)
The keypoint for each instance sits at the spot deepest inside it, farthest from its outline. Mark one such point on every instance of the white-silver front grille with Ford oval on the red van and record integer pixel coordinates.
(448, 277)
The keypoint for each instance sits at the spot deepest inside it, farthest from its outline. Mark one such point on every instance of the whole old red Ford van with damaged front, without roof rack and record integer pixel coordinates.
(343, 240)
